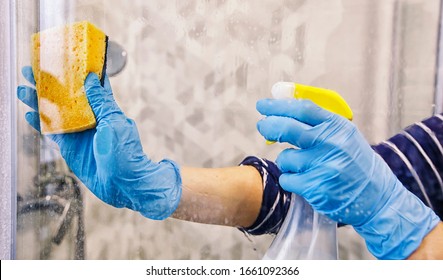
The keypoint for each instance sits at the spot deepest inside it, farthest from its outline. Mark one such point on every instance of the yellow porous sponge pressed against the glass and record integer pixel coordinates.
(62, 57)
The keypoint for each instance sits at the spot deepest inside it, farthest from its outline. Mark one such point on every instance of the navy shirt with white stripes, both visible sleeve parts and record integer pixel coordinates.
(415, 155)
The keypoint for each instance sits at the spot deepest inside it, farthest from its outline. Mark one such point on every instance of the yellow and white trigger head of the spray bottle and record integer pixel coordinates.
(325, 98)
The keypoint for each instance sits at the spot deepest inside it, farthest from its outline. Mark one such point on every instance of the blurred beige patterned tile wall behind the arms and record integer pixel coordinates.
(195, 70)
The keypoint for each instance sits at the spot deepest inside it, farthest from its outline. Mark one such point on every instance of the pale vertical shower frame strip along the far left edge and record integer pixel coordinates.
(7, 131)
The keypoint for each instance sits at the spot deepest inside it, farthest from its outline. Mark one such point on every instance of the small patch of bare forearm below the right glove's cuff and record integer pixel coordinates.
(431, 247)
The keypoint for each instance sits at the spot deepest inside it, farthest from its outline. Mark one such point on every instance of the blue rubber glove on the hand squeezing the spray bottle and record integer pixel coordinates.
(338, 173)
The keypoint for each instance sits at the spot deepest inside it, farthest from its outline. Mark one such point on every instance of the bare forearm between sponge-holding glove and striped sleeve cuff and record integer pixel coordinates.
(229, 196)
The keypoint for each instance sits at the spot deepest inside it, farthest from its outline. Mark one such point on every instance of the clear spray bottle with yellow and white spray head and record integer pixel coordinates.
(306, 234)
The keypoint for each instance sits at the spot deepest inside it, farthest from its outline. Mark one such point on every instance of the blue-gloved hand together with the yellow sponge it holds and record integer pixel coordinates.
(108, 159)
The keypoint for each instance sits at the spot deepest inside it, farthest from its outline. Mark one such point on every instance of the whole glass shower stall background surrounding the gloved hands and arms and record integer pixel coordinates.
(189, 73)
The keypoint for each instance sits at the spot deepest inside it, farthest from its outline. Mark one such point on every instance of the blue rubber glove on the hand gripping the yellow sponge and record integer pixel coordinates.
(109, 159)
